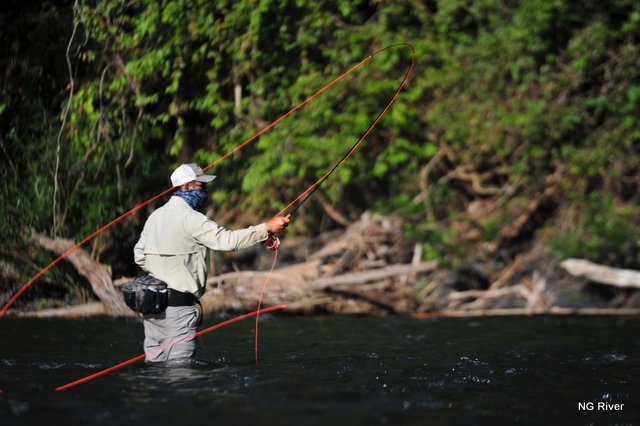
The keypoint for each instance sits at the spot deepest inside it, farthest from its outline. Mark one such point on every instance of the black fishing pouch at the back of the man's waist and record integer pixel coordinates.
(146, 294)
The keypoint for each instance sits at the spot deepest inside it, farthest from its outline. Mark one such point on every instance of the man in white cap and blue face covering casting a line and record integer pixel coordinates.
(173, 247)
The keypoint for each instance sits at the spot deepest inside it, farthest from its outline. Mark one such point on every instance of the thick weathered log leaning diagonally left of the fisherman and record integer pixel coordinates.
(98, 275)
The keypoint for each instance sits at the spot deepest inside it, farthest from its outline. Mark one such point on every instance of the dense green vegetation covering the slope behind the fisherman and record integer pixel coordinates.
(520, 120)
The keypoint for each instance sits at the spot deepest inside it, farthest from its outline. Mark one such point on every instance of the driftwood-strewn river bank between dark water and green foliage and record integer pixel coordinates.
(368, 269)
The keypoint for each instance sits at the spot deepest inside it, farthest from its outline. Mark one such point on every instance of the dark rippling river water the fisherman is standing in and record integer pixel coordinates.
(331, 371)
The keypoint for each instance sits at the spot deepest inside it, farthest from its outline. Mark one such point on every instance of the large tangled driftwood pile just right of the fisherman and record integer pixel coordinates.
(354, 272)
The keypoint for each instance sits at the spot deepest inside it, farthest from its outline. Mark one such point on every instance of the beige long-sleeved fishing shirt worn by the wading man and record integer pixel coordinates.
(173, 245)
